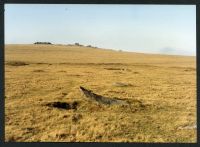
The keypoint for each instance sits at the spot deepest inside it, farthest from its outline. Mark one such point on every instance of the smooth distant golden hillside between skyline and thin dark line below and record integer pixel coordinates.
(76, 54)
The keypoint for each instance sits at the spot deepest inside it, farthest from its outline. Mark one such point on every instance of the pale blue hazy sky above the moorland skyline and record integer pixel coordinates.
(160, 29)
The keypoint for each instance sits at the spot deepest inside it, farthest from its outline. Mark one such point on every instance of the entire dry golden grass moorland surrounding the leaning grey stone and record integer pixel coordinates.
(36, 75)
